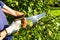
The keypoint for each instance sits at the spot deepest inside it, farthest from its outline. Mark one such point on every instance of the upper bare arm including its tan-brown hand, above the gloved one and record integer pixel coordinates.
(10, 11)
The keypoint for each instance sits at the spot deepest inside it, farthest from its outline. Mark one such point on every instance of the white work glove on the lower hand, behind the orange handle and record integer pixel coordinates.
(14, 27)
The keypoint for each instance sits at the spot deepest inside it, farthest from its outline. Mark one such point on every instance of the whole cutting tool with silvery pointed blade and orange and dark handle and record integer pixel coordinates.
(33, 19)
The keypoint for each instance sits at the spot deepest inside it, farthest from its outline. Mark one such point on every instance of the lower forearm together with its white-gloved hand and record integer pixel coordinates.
(14, 27)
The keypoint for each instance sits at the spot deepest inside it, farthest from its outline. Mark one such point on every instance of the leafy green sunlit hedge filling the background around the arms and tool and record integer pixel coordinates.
(48, 28)
